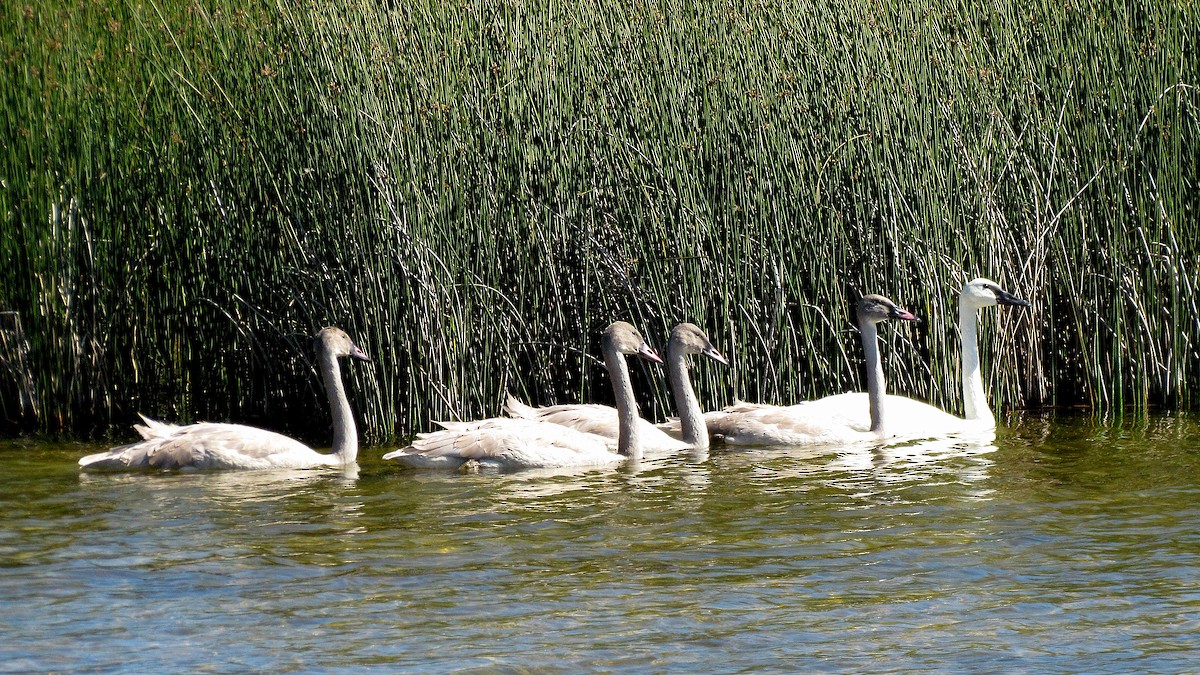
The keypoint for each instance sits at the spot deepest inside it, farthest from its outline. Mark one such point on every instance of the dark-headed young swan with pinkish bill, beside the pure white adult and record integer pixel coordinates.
(817, 422)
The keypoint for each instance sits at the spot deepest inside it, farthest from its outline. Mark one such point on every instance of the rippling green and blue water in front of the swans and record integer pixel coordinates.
(1063, 546)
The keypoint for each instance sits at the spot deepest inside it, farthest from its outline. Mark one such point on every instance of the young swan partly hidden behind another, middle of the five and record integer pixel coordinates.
(688, 433)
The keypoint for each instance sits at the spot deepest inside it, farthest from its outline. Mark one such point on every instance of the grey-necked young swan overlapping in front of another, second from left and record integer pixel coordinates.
(511, 444)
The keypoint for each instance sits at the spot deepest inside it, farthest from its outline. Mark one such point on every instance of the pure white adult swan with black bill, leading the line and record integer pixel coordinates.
(914, 420)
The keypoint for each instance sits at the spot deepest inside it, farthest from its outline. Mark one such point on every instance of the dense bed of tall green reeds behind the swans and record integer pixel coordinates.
(475, 190)
